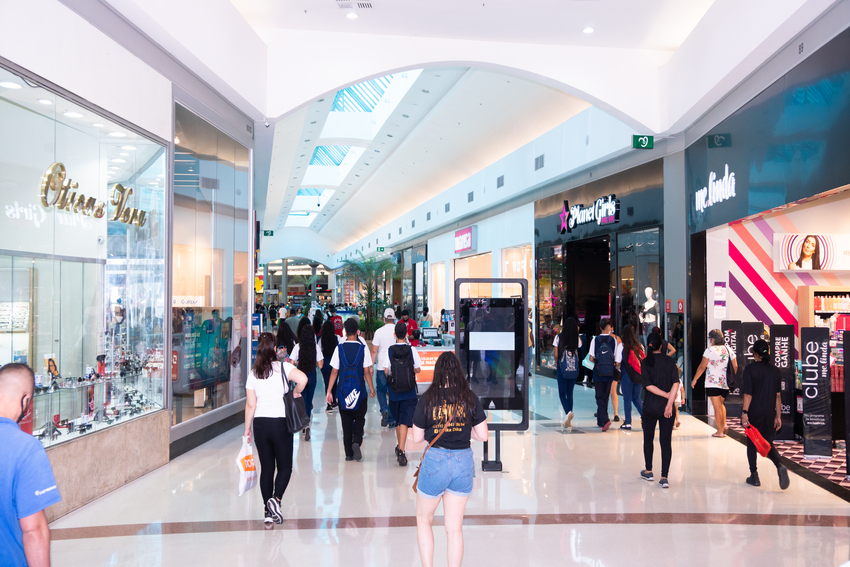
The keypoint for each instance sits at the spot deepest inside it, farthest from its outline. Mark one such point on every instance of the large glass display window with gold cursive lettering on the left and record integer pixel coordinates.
(81, 261)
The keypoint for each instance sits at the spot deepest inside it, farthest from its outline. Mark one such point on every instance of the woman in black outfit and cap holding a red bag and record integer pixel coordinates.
(763, 409)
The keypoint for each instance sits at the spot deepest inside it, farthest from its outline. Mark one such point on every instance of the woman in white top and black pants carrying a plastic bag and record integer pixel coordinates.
(265, 410)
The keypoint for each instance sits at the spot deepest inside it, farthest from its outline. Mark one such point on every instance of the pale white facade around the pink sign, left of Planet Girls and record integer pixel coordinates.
(506, 230)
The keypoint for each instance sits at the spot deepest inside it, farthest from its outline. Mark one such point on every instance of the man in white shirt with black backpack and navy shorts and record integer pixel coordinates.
(404, 365)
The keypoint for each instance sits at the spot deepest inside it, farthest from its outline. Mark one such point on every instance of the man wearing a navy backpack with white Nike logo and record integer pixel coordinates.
(352, 363)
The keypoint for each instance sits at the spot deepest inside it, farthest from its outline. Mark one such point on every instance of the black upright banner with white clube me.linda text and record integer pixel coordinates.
(815, 383)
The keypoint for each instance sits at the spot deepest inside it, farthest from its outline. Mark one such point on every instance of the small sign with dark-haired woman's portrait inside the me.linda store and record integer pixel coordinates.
(811, 252)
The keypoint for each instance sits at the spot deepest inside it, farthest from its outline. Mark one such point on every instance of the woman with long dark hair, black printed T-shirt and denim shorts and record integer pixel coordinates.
(448, 406)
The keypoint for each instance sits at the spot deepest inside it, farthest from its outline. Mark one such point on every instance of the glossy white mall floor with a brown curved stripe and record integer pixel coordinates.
(563, 499)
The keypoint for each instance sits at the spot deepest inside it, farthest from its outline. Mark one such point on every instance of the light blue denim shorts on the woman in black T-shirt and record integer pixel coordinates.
(446, 470)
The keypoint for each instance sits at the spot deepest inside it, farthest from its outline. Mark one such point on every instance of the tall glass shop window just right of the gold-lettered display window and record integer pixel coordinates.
(210, 267)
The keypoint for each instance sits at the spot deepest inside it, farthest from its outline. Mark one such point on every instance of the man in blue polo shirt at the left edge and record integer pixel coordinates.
(27, 486)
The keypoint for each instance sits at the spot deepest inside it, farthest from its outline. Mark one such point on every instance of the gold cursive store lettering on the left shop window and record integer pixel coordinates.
(66, 198)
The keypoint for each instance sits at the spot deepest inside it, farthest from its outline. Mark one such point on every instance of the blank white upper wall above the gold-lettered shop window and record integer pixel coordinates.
(48, 39)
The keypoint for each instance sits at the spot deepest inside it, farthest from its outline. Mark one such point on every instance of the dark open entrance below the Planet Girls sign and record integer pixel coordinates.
(587, 282)
